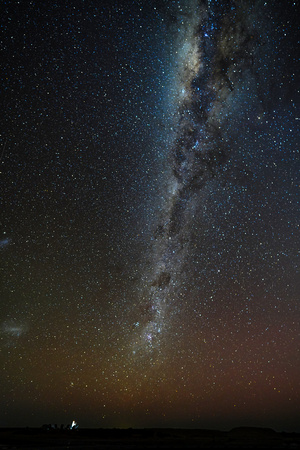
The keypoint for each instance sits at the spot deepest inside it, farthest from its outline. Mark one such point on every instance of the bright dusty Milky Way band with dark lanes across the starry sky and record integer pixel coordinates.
(215, 50)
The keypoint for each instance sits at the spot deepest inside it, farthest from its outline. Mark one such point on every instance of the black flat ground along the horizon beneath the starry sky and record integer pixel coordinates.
(93, 439)
